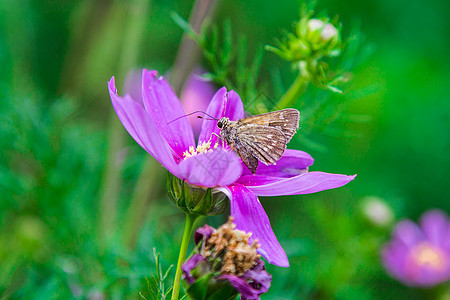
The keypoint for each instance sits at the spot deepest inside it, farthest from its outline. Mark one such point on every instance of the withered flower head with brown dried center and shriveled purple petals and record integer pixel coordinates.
(226, 255)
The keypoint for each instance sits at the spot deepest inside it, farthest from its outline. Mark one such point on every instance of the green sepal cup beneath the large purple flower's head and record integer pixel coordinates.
(195, 199)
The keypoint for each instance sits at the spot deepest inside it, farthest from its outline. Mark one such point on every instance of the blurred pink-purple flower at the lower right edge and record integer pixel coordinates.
(420, 256)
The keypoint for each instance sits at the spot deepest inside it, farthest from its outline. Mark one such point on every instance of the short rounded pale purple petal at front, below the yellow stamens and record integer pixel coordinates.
(215, 168)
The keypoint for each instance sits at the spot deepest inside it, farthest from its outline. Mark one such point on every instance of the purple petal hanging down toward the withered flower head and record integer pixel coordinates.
(249, 216)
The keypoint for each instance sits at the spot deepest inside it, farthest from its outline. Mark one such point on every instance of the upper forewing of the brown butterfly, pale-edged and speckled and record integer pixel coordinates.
(286, 120)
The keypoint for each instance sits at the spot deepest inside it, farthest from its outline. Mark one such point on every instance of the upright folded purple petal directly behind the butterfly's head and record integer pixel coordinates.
(222, 104)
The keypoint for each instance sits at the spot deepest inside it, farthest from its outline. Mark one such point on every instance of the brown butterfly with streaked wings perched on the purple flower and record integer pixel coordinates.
(261, 137)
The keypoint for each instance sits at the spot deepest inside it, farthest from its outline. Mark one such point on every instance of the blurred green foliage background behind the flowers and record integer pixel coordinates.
(65, 234)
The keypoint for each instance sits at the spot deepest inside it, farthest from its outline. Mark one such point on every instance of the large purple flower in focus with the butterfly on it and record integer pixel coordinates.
(155, 124)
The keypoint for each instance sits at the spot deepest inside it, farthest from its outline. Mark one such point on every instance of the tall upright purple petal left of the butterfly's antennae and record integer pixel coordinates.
(164, 107)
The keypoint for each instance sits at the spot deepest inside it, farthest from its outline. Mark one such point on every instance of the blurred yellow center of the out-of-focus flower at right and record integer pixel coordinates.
(426, 255)
